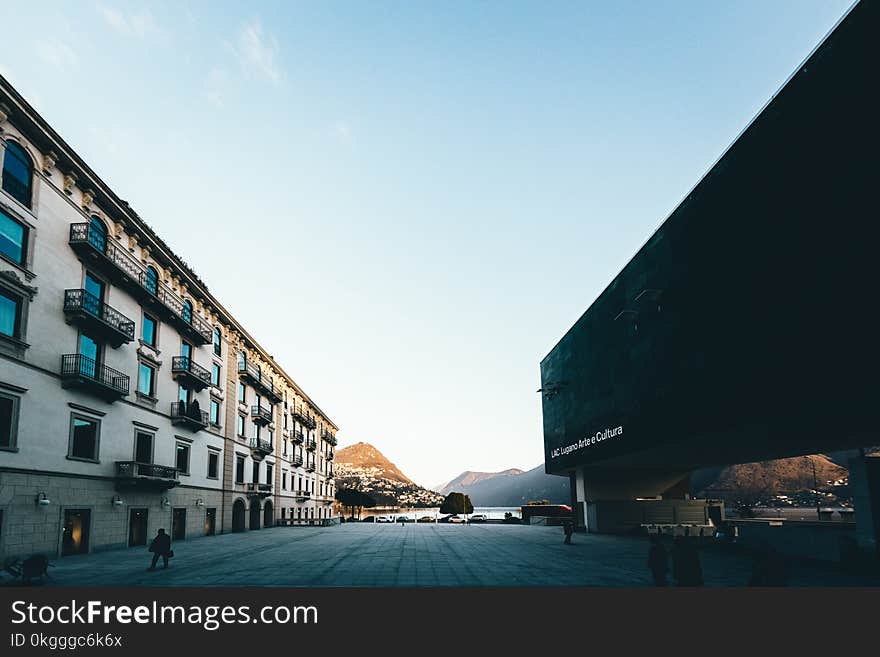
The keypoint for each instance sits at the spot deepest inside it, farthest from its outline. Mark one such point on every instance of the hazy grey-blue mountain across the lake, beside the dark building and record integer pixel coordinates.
(511, 487)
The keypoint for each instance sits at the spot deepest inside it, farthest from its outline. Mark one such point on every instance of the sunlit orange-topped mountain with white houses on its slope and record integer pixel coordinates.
(363, 467)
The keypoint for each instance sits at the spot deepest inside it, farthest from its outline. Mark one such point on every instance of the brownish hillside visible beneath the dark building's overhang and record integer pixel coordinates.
(766, 479)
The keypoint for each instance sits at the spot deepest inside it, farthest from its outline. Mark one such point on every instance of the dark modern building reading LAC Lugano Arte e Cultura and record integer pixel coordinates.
(745, 328)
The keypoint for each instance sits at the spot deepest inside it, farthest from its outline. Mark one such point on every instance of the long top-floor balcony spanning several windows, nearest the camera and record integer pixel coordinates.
(122, 268)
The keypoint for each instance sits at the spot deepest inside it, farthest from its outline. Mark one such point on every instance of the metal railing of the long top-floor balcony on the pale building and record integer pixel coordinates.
(83, 233)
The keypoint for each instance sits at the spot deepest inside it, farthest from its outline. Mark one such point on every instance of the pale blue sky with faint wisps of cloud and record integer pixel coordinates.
(447, 185)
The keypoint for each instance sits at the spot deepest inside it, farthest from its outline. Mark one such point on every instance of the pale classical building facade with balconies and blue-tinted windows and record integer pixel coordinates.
(130, 399)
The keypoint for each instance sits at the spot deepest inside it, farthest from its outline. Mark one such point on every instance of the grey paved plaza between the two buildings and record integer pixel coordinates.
(361, 554)
